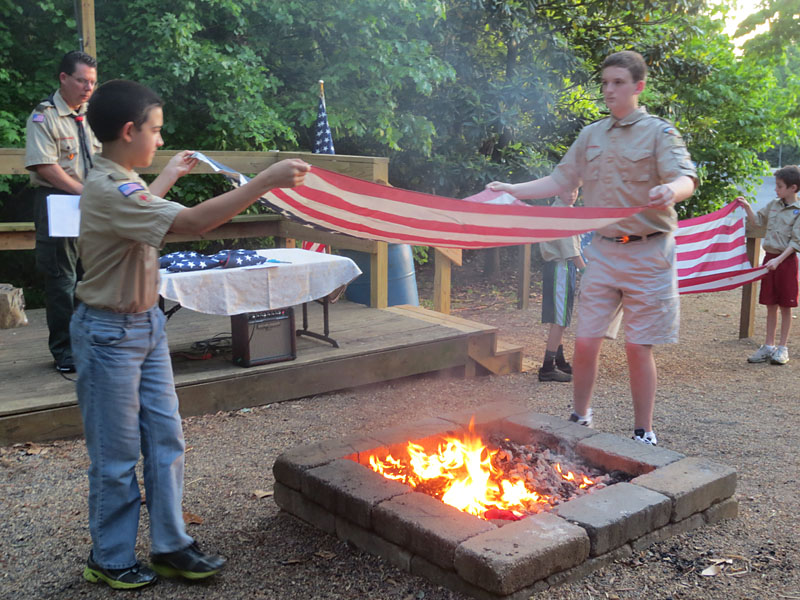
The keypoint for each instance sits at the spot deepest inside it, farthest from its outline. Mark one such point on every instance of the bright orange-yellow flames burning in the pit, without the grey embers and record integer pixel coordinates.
(462, 474)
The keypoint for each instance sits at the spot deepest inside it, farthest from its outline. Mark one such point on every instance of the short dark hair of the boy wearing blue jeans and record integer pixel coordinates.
(117, 102)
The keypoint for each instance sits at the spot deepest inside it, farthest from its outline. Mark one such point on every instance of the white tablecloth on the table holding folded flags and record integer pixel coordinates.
(304, 277)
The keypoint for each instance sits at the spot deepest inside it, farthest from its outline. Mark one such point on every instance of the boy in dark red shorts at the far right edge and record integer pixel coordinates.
(779, 289)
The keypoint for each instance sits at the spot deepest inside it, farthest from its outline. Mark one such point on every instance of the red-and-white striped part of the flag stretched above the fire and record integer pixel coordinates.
(368, 210)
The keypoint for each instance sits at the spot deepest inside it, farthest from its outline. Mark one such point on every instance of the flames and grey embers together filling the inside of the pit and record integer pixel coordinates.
(506, 481)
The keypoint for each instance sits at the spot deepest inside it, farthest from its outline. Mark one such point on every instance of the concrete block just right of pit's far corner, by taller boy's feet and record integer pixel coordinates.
(557, 434)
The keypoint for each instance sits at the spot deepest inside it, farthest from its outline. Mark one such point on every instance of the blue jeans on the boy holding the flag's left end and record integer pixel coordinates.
(127, 398)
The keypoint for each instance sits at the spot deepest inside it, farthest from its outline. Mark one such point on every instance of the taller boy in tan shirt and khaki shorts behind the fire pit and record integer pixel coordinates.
(628, 159)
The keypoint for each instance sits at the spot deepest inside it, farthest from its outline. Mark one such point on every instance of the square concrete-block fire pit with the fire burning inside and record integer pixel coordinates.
(527, 527)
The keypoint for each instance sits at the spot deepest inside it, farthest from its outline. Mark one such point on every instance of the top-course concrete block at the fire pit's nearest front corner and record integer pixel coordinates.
(521, 553)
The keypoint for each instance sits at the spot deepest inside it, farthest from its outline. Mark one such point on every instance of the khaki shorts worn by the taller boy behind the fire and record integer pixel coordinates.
(636, 280)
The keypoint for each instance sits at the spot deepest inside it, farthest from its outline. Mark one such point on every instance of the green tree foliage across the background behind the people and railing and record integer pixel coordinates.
(455, 92)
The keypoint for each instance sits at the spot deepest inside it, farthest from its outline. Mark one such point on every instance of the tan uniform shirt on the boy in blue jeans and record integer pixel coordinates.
(122, 229)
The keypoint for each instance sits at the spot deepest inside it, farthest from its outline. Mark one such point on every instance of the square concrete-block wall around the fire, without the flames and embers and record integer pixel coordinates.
(328, 486)
